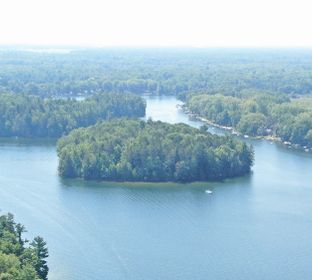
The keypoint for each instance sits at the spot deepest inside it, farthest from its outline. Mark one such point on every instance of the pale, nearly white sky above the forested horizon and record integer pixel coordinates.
(198, 23)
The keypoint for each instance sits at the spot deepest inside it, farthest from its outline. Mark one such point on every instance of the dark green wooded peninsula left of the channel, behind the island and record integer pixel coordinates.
(31, 116)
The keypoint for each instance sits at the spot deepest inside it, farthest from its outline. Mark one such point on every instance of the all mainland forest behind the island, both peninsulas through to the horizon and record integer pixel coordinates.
(259, 92)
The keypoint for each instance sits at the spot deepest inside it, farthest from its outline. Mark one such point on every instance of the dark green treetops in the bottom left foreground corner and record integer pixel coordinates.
(19, 261)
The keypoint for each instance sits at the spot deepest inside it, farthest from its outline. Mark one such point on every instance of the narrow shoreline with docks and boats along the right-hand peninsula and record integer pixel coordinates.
(238, 134)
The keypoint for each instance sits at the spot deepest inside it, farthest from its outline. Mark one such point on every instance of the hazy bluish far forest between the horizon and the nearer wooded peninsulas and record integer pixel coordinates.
(156, 71)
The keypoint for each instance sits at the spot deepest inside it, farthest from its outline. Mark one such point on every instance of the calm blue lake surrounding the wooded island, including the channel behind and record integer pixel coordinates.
(254, 227)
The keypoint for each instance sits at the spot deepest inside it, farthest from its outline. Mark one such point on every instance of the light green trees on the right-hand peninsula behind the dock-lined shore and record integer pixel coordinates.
(258, 114)
